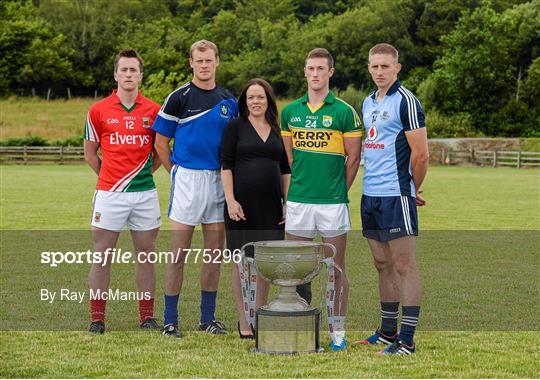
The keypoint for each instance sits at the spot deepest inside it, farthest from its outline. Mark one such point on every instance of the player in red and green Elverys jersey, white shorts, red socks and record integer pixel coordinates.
(120, 126)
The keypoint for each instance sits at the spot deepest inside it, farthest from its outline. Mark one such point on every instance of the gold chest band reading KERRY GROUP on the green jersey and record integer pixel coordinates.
(327, 141)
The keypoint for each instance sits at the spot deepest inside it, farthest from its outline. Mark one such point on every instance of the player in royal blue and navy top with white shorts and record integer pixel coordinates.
(195, 116)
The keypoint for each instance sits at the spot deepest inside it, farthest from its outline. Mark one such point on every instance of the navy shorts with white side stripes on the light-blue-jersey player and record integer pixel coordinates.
(387, 218)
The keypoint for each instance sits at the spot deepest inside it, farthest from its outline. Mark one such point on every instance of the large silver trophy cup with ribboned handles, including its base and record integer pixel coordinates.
(287, 324)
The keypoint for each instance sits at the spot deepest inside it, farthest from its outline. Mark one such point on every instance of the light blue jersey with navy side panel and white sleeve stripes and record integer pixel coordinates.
(387, 155)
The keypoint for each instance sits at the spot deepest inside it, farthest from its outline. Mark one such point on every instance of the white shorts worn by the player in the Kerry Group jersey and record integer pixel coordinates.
(308, 219)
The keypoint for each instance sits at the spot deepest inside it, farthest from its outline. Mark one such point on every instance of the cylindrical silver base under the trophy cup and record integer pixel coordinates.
(287, 332)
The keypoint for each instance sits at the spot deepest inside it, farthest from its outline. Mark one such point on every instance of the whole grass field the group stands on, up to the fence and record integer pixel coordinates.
(479, 256)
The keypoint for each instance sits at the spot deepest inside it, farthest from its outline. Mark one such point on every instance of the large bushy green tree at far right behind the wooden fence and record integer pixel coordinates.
(478, 72)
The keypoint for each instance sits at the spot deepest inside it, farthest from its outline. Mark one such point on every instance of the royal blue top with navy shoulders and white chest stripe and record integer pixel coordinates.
(196, 119)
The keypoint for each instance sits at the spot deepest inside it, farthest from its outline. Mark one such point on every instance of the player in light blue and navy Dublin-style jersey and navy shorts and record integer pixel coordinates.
(395, 165)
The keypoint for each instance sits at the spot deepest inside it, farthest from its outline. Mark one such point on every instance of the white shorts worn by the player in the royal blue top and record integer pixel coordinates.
(196, 196)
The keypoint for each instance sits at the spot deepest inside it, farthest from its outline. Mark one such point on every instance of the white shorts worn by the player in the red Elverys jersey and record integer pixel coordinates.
(138, 209)
